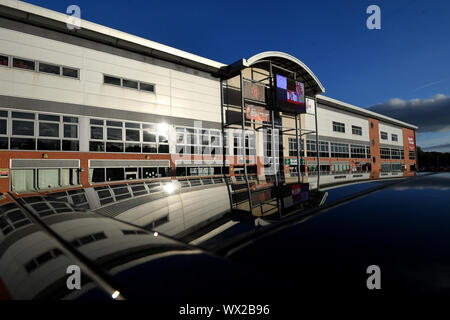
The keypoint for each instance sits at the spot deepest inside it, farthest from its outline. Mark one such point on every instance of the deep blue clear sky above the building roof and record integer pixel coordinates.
(407, 59)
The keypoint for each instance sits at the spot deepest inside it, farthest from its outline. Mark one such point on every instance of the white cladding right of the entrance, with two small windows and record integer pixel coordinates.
(325, 117)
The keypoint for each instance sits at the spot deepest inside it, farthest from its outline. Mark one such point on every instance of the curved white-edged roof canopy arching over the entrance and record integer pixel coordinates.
(285, 61)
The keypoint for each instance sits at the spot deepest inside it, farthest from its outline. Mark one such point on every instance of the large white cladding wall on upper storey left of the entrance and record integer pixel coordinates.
(177, 93)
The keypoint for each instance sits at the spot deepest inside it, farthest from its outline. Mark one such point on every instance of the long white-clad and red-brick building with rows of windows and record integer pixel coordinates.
(98, 105)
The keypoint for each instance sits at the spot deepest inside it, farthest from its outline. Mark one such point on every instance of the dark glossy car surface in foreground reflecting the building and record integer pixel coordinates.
(168, 241)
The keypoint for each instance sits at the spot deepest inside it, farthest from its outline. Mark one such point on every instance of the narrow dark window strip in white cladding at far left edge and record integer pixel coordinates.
(39, 66)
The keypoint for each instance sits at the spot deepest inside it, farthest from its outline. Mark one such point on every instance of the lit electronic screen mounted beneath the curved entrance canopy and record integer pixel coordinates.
(290, 95)
